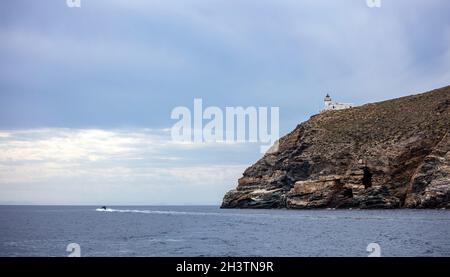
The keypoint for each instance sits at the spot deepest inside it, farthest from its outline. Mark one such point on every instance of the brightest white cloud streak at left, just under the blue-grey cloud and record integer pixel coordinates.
(67, 145)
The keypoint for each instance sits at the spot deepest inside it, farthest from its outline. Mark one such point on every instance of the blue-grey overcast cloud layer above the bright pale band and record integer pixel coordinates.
(141, 58)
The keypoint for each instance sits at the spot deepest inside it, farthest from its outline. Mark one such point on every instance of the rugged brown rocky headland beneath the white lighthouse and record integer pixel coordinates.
(390, 154)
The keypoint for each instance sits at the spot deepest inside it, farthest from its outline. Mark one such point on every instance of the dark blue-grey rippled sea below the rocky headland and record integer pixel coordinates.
(209, 231)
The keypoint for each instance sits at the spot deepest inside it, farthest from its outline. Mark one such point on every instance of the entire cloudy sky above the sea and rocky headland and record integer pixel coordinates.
(86, 93)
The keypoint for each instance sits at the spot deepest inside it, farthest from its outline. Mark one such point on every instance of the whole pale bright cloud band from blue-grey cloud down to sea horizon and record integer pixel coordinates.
(54, 165)
